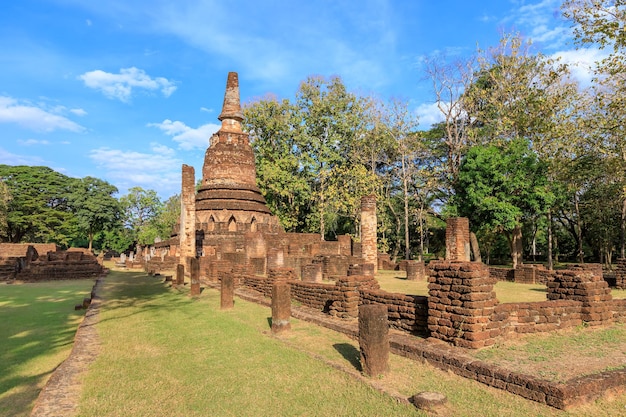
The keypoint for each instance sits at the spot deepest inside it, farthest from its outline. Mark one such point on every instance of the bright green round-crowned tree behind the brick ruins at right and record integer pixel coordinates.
(500, 186)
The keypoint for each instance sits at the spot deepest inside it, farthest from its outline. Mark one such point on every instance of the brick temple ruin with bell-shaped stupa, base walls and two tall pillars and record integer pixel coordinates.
(227, 223)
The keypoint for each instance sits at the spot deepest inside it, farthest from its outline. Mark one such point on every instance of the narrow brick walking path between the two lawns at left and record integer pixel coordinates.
(61, 393)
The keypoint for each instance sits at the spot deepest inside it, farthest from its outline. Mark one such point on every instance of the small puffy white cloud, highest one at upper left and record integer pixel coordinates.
(120, 86)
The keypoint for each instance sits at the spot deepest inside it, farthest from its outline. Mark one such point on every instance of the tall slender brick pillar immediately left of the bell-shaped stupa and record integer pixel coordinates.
(187, 232)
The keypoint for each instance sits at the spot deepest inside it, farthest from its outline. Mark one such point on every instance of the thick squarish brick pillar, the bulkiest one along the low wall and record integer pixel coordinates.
(461, 303)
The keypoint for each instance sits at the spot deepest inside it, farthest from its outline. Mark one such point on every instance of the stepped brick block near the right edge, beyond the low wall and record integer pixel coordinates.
(587, 286)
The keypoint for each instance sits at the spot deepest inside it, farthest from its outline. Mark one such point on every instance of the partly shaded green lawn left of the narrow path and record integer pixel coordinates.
(37, 327)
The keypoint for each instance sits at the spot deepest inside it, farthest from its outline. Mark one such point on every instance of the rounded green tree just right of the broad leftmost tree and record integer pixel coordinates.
(94, 206)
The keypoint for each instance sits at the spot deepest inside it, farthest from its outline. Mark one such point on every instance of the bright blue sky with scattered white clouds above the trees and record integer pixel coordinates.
(127, 91)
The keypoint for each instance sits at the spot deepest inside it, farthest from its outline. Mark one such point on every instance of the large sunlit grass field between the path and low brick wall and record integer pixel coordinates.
(164, 353)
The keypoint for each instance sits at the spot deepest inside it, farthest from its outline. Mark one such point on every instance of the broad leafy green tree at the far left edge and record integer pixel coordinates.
(38, 210)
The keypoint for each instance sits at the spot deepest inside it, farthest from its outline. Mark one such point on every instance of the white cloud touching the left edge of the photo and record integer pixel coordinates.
(34, 117)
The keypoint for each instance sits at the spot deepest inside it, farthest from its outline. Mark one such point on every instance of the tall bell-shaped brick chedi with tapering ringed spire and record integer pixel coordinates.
(228, 194)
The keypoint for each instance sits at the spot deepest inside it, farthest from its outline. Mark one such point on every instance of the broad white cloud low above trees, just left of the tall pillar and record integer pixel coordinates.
(157, 170)
